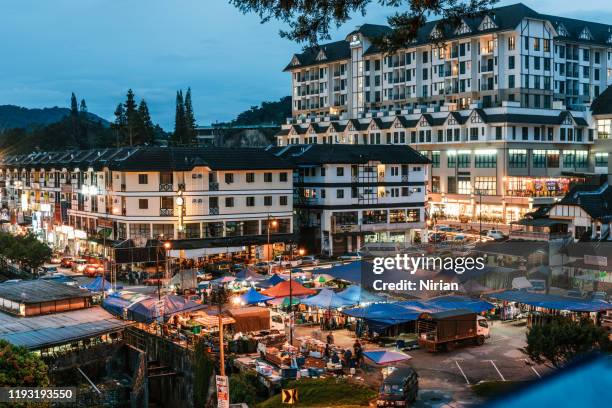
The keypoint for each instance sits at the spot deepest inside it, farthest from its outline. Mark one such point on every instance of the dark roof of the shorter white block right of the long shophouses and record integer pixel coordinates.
(317, 154)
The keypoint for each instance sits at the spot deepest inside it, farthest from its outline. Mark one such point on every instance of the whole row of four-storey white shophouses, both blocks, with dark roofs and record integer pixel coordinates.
(207, 201)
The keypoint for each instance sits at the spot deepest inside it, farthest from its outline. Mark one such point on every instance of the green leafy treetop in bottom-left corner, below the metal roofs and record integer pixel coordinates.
(21, 368)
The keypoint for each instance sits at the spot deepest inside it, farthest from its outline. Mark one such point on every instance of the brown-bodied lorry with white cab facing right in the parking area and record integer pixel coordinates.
(444, 330)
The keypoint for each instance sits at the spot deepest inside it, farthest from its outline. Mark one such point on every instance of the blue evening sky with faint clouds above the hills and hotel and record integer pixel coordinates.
(100, 48)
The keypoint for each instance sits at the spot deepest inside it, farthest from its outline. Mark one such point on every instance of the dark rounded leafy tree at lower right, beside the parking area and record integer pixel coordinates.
(563, 339)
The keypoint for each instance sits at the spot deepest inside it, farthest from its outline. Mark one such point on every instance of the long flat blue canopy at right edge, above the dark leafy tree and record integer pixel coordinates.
(553, 301)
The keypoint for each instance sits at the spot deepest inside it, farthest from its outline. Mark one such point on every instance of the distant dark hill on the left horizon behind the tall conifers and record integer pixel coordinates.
(12, 117)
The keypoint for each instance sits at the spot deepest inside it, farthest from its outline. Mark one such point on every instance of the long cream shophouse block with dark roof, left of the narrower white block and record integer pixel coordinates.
(204, 200)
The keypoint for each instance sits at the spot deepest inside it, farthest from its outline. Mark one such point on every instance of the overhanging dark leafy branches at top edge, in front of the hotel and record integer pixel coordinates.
(312, 20)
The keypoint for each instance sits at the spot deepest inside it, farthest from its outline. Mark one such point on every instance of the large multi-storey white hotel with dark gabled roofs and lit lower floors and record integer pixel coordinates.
(500, 106)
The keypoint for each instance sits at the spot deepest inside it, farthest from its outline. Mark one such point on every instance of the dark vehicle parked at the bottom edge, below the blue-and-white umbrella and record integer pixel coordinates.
(399, 388)
